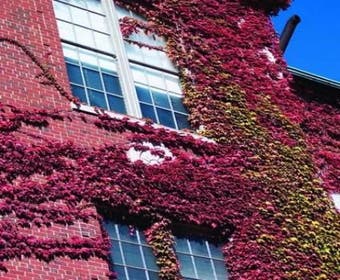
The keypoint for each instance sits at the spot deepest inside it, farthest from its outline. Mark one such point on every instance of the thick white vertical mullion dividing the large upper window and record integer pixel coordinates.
(125, 73)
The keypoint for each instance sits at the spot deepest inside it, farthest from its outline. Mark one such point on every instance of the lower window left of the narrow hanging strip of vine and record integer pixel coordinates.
(132, 257)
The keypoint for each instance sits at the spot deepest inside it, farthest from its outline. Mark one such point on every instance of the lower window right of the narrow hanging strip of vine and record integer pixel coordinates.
(200, 259)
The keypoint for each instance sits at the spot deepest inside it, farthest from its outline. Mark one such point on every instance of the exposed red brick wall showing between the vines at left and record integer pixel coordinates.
(32, 24)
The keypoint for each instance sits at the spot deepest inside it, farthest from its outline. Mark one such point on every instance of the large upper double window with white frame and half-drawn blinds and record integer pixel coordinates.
(116, 74)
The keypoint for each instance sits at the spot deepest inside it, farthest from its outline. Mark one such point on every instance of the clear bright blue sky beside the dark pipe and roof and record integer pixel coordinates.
(315, 45)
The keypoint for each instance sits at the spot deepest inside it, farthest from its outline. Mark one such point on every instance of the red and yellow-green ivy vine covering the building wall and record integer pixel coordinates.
(261, 188)
